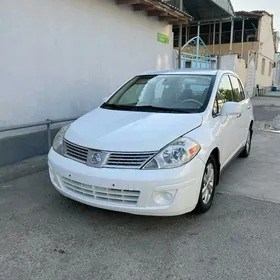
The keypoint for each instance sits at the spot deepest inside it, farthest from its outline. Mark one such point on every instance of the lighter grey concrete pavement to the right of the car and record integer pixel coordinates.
(259, 175)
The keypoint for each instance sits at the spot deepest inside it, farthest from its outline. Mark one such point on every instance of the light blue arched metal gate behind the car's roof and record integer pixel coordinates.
(195, 54)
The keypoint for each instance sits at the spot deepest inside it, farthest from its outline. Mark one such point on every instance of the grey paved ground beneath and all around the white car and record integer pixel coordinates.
(46, 236)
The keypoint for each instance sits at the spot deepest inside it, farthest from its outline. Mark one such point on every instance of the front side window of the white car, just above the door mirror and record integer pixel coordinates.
(223, 95)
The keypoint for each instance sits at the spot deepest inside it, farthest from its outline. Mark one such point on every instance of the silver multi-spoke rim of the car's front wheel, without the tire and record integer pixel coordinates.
(208, 183)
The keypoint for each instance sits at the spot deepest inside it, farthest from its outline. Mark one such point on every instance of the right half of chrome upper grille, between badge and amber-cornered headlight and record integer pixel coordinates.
(127, 160)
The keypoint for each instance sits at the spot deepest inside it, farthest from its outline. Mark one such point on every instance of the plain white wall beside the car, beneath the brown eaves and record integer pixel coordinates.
(60, 57)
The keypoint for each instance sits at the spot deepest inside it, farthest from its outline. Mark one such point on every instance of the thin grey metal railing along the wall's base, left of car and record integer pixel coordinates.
(46, 123)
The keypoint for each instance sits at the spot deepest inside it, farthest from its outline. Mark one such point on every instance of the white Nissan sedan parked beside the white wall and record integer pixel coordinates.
(157, 146)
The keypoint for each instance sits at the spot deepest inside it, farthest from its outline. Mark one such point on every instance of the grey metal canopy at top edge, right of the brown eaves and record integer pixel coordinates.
(203, 10)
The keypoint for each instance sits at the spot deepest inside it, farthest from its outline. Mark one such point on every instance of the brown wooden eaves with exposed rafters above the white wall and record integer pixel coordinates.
(160, 9)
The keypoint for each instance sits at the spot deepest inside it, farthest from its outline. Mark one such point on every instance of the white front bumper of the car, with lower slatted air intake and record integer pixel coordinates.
(128, 190)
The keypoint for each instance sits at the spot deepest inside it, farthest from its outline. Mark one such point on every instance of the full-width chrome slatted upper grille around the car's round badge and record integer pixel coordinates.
(122, 160)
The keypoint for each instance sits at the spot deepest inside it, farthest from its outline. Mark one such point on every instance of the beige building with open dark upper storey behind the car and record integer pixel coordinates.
(246, 41)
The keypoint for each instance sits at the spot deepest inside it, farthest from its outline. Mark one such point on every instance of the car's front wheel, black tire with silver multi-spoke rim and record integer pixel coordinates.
(204, 203)
